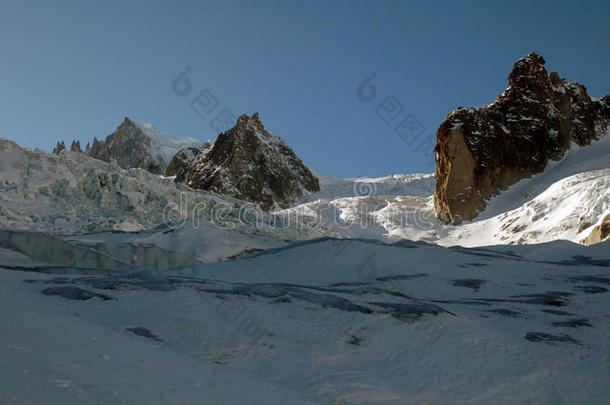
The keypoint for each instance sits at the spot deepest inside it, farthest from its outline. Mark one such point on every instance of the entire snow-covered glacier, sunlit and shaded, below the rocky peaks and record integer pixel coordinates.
(121, 286)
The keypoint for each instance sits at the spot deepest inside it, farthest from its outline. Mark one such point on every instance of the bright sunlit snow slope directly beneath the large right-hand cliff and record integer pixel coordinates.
(564, 202)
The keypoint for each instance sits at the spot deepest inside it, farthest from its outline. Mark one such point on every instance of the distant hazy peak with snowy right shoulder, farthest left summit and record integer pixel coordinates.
(135, 145)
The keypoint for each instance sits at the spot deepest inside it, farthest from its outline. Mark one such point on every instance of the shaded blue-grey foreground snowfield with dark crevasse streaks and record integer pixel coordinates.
(325, 321)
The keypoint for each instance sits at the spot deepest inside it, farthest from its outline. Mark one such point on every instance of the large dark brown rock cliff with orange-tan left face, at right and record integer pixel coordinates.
(482, 151)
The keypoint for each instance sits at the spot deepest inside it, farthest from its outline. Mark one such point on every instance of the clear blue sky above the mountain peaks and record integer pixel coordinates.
(74, 69)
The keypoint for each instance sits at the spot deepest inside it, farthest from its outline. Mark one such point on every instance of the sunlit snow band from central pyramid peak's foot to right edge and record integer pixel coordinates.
(565, 202)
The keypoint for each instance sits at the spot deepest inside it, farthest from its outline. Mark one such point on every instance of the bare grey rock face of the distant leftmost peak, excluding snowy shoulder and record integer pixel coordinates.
(129, 147)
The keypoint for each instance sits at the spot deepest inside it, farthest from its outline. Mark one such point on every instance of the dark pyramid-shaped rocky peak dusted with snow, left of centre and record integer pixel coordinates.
(250, 164)
